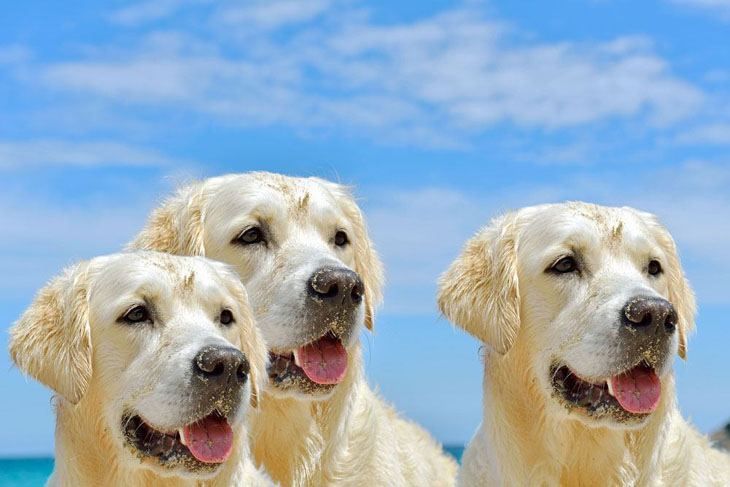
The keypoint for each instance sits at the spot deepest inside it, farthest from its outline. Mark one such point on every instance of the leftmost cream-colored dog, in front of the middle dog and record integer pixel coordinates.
(154, 359)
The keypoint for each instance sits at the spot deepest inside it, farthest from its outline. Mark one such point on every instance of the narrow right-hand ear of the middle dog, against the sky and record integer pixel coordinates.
(367, 262)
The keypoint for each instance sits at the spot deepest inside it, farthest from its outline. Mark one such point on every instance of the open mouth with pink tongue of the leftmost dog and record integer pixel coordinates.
(199, 446)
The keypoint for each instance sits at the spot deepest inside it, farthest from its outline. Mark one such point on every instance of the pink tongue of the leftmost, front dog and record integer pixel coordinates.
(210, 440)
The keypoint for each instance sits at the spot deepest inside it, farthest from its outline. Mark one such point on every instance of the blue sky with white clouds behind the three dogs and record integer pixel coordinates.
(441, 114)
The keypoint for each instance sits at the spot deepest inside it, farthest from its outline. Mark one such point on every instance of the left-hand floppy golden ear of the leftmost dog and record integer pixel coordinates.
(51, 341)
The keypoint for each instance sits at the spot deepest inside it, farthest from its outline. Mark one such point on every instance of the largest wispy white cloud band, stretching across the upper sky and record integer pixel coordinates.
(440, 78)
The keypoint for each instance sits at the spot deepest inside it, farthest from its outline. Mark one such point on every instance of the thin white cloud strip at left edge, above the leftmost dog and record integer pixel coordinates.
(55, 152)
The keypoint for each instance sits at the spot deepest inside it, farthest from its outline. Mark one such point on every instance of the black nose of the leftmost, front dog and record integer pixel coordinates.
(221, 365)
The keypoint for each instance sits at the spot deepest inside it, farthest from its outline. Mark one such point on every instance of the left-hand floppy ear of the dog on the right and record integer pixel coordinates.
(479, 292)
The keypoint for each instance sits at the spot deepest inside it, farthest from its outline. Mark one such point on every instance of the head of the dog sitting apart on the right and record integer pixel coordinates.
(595, 297)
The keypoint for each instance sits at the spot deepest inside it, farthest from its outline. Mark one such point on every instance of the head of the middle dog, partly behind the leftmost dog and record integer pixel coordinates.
(302, 250)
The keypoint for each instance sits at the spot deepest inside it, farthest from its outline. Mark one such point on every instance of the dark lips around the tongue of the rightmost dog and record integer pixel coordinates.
(593, 395)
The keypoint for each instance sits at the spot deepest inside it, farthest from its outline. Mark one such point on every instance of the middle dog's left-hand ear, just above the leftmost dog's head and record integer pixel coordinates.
(176, 226)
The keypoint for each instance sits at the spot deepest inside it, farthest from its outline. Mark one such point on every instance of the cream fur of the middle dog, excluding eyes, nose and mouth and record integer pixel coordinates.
(350, 437)
